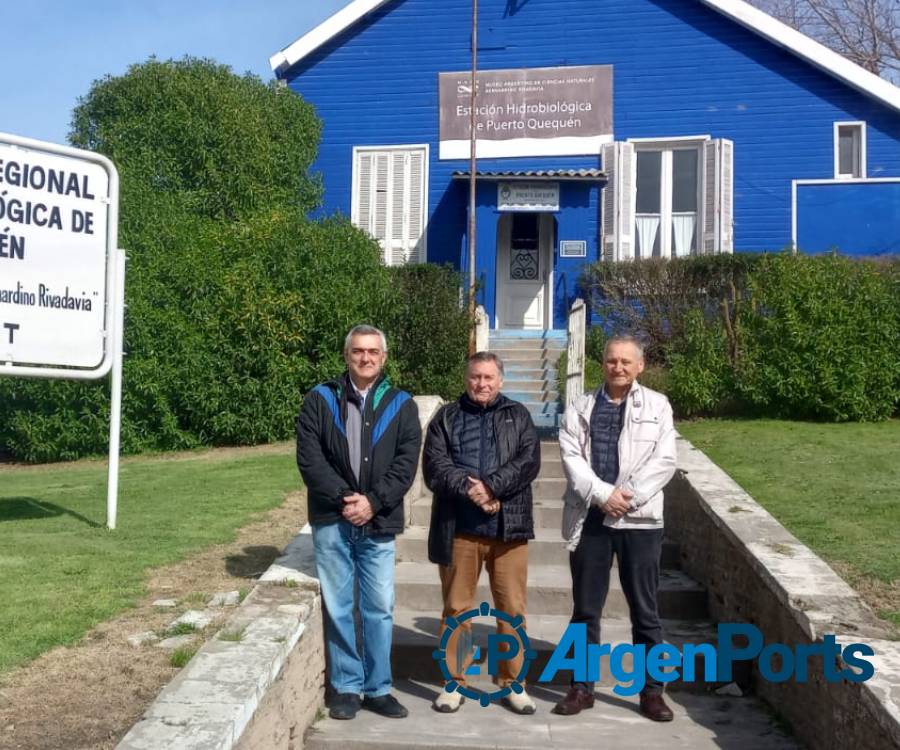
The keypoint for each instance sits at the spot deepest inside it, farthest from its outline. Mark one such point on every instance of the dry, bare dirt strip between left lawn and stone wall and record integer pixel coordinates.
(89, 695)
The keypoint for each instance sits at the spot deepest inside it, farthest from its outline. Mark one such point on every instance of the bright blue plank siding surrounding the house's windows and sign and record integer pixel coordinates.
(680, 69)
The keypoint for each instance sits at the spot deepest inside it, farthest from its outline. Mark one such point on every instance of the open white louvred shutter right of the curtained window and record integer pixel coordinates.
(718, 197)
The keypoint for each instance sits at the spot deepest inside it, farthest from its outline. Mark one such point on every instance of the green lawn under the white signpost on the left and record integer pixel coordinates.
(62, 571)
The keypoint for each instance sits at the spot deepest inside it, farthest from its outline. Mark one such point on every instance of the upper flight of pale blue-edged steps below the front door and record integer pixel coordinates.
(530, 359)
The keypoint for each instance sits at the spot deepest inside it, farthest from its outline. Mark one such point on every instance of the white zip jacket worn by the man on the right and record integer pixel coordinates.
(646, 462)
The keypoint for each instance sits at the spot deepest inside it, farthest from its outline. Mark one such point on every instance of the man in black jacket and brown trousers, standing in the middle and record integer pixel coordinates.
(481, 455)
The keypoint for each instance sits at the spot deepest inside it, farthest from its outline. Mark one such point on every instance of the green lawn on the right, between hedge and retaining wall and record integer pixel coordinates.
(834, 486)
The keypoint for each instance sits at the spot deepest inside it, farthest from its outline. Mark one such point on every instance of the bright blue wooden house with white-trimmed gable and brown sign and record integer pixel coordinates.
(607, 129)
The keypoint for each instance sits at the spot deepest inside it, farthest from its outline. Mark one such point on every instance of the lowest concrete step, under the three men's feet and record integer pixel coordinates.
(702, 722)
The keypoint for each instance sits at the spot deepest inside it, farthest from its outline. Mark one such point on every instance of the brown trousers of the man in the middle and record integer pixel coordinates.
(507, 565)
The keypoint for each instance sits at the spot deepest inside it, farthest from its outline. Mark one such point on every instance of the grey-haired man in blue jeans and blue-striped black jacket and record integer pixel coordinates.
(357, 448)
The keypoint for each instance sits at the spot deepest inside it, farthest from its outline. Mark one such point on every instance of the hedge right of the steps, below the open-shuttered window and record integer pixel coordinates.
(778, 335)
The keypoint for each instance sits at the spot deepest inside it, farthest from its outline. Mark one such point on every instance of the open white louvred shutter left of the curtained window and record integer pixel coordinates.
(620, 166)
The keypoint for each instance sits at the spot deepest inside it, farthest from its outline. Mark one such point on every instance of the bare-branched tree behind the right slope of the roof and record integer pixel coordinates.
(864, 31)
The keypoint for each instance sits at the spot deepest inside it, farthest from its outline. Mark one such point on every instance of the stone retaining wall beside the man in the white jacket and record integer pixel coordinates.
(757, 572)
